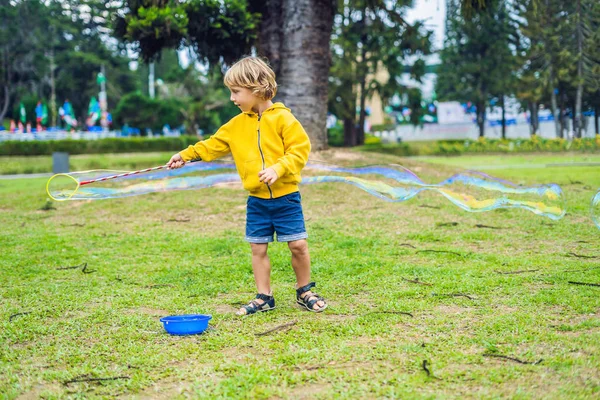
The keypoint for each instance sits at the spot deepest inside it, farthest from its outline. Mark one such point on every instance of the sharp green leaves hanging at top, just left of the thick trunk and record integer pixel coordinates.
(216, 30)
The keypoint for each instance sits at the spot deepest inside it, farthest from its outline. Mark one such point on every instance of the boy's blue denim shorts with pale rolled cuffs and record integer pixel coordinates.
(282, 215)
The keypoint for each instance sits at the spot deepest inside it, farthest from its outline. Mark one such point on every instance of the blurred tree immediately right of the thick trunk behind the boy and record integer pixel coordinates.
(370, 36)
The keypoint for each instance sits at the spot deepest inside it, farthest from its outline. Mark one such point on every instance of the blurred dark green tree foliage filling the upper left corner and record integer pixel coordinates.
(36, 35)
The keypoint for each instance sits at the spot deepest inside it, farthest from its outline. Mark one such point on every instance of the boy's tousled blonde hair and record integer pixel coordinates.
(255, 74)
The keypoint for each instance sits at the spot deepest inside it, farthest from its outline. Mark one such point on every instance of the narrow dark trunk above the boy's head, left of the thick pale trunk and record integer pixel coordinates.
(270, 36)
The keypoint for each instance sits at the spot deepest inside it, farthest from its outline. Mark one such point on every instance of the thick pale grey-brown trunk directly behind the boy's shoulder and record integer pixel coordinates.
(305, 61)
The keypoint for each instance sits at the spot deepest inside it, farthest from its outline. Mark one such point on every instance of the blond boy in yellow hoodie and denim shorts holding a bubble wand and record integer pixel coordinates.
(270, 148)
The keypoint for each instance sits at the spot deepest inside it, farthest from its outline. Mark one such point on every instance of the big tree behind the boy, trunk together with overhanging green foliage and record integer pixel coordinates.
(222, 31)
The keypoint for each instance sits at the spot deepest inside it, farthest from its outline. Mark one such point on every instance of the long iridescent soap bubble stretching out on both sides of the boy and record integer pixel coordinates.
(471, 190)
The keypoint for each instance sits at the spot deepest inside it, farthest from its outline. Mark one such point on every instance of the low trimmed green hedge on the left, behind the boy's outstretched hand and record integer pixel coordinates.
(109, 145)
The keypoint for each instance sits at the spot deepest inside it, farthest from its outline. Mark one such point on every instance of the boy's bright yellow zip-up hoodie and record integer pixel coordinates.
(275, 139)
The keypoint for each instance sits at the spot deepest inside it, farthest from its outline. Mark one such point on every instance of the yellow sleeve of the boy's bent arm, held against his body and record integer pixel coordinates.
(296, 149)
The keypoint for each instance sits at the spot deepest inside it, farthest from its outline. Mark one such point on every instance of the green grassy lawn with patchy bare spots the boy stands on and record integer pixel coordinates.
(500, 289)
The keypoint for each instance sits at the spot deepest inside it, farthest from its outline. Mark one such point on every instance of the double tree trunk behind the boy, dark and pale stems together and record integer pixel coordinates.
(295, 35)
